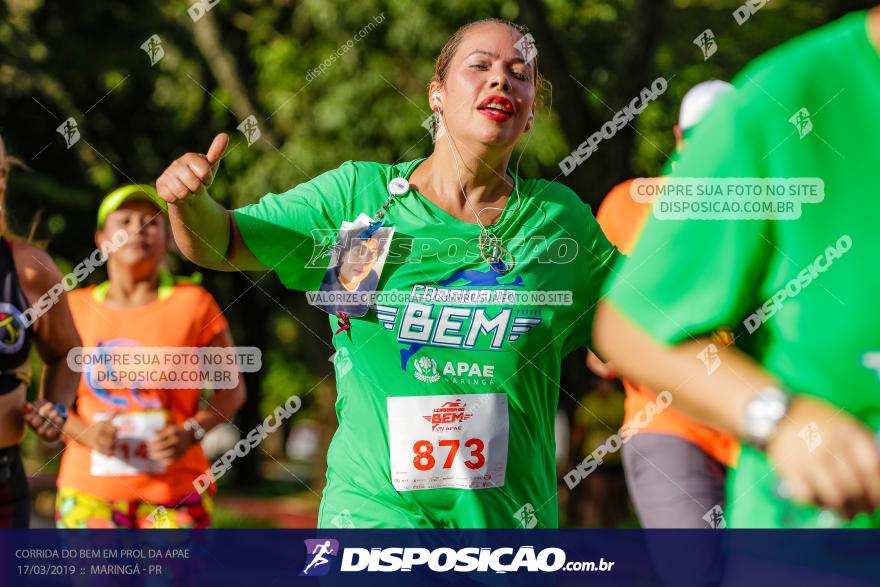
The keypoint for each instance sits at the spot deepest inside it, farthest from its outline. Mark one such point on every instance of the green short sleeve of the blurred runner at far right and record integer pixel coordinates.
(685, 278)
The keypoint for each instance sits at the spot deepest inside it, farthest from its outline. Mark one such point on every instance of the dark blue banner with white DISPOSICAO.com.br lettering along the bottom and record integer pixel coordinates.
(460, 557)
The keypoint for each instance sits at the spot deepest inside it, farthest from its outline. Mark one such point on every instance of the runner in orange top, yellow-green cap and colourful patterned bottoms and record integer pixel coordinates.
(133, 454)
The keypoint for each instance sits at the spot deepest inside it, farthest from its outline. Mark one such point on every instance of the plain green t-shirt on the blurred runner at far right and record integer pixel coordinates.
(805, 110)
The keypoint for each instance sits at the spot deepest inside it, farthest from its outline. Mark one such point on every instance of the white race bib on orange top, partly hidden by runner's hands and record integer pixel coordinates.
(133, 430)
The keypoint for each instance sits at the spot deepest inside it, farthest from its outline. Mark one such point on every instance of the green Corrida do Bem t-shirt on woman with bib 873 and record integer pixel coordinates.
(447, 397)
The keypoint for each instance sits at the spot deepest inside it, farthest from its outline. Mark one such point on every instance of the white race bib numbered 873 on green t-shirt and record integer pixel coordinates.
(448, 441)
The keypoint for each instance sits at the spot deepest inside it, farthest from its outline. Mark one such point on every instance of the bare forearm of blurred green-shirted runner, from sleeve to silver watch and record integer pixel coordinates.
(715, 394)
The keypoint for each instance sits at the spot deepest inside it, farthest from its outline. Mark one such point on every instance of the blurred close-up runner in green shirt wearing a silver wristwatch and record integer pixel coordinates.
(800, 388)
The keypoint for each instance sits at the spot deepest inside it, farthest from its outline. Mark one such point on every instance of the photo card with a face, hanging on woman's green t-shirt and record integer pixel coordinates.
(356, 263)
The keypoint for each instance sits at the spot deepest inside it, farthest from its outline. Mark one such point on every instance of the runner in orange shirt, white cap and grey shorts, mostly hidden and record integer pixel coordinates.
(675, 467)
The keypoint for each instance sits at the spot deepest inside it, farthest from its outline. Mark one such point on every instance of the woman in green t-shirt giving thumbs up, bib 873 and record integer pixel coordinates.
(447, 388)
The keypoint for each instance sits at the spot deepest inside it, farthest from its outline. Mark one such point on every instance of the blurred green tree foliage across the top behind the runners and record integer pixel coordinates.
(85, 61)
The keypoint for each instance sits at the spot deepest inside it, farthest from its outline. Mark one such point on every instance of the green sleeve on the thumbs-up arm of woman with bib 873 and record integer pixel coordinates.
(288, 232)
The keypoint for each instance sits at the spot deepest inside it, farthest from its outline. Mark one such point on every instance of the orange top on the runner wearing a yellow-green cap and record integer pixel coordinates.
(189, 316)
